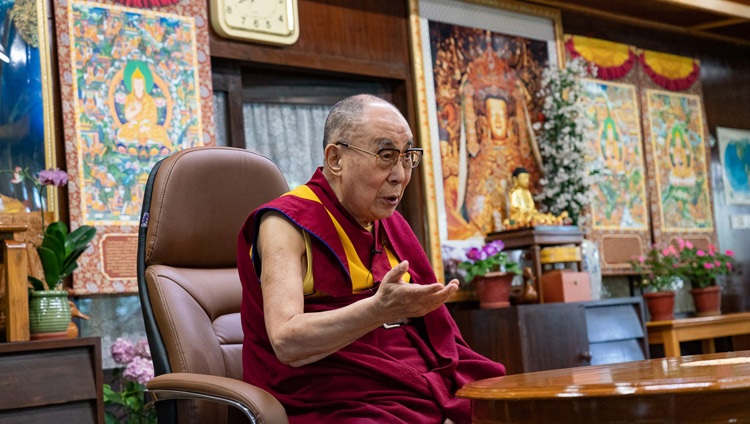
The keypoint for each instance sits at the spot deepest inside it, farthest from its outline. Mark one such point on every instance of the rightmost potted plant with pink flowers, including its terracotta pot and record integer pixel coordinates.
(701, 267)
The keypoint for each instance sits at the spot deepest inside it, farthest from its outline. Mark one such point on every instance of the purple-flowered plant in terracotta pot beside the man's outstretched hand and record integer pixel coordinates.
(491, 272)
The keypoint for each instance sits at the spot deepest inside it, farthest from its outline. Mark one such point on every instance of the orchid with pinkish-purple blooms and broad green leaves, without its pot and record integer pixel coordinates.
(60, 249)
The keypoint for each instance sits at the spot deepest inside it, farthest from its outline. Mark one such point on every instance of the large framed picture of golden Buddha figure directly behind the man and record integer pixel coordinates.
(478, 69)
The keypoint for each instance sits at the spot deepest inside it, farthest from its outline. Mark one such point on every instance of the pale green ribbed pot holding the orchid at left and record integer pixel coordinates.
(49, 314)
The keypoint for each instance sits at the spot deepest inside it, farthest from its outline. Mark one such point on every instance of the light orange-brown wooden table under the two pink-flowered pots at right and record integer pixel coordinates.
(671, 333)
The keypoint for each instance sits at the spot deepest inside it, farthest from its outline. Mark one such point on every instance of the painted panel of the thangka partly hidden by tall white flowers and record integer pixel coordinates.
(621, 202)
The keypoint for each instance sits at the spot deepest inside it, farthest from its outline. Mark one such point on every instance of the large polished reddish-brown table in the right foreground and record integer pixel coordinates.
(665, 390)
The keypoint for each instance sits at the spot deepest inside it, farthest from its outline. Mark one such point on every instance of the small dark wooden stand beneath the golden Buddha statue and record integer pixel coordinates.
(534, 238)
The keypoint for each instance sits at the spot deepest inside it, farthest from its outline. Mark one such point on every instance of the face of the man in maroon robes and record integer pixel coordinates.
(368, 191)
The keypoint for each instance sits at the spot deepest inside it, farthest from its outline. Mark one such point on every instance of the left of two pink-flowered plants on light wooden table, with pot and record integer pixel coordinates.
(659, 269)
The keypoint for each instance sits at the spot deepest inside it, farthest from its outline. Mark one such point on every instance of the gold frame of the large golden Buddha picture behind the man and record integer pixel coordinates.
(434, 247)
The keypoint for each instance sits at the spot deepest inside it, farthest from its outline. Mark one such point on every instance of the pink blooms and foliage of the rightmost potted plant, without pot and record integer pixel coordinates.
(701, 266)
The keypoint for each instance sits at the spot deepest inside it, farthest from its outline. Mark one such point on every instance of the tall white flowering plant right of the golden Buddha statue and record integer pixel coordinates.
(569, 164)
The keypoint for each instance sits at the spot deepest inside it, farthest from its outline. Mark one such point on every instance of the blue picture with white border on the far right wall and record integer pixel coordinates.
(734, 153)
